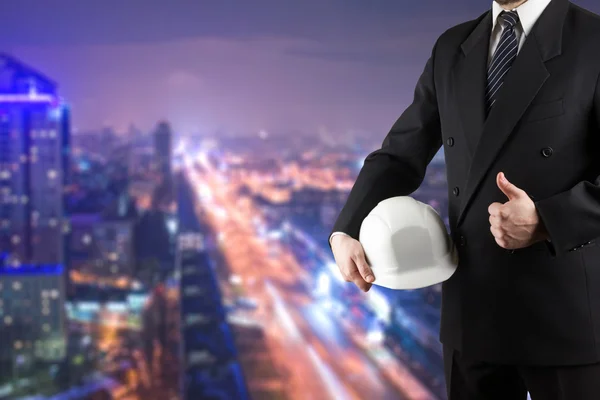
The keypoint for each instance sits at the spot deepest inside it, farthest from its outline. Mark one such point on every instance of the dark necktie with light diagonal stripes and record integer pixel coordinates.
(504, 55)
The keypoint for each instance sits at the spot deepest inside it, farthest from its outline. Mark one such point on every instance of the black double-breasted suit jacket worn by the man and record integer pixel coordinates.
(537, 305)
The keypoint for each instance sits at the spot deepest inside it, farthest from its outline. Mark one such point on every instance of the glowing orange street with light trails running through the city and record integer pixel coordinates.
(321, 355)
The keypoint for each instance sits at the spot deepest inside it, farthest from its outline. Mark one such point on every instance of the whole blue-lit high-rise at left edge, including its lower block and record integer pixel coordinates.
(34, 164)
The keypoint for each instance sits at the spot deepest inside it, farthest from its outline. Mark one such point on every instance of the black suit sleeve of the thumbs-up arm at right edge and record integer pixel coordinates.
(572, 218)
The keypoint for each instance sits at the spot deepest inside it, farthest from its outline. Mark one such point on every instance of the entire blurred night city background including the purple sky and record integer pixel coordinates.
(170, 172)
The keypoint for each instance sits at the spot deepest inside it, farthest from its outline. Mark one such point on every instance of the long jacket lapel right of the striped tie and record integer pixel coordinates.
(521, 84)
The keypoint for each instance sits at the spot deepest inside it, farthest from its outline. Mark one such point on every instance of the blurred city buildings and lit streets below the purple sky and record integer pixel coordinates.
(162, 265)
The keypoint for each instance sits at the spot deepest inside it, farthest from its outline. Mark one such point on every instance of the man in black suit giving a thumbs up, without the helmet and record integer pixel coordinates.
(514, 98)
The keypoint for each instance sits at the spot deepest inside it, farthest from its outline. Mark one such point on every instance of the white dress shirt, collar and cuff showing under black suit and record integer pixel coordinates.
(529, 12)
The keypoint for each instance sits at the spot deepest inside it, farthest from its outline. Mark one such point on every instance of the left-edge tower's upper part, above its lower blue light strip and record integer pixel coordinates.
(34, 154)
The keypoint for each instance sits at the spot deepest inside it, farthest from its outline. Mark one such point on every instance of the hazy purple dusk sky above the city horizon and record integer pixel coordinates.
(237, 66)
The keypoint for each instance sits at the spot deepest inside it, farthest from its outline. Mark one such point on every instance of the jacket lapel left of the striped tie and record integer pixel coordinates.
(469, 77)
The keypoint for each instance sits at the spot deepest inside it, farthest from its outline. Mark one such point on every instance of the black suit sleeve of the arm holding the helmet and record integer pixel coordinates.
(398, 167)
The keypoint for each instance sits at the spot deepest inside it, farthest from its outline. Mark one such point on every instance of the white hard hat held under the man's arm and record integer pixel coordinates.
(407, 245)
